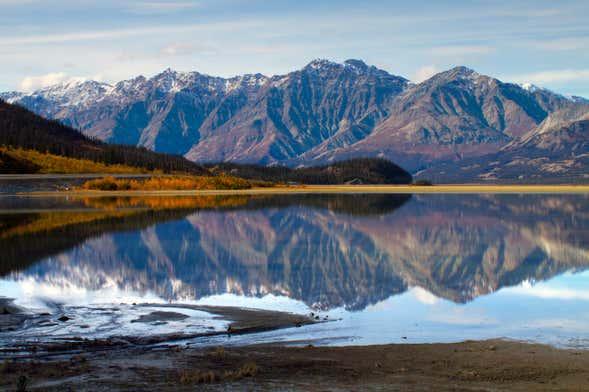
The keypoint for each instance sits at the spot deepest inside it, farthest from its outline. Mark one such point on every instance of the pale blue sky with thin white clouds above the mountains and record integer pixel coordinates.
(541, 42)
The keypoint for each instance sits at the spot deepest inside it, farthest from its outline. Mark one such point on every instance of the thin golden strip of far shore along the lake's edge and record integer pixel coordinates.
(329, 189)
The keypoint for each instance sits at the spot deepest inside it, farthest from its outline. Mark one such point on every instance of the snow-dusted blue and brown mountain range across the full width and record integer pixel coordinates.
(328, 111)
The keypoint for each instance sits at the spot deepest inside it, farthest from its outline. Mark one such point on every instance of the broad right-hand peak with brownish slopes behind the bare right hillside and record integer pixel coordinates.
(453, 115)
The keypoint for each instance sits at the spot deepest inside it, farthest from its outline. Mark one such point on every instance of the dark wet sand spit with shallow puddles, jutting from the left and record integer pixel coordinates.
(240, 321)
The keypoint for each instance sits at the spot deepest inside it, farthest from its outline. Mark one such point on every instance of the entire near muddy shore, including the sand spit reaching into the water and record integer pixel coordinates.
(144, 364)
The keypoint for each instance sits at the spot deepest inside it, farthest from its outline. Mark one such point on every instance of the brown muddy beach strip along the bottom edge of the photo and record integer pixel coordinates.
(471, 366)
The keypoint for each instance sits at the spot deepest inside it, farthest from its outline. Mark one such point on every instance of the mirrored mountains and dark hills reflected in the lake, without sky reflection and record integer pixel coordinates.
(327, 251)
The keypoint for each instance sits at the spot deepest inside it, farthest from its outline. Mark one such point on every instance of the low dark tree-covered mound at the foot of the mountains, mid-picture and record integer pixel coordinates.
(353, 171)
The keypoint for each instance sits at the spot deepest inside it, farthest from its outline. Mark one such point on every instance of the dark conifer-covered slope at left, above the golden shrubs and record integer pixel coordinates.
(22, 128)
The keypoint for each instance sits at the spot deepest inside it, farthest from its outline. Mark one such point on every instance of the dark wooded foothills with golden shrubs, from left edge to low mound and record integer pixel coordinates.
(30, 144)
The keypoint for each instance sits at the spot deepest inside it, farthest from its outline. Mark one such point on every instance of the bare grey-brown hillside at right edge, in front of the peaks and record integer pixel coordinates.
(556, 152)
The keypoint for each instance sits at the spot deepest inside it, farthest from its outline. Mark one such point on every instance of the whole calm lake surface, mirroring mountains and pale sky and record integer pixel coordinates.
(385, 268)
